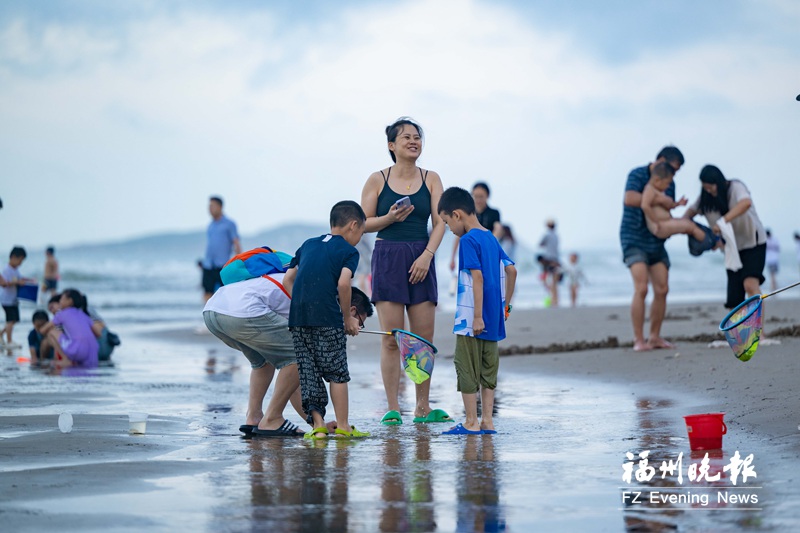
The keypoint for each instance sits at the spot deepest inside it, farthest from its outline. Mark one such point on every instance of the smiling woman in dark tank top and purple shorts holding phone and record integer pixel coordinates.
(403, 265)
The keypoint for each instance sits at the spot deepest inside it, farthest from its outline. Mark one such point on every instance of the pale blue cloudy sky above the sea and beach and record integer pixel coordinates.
(119, 119)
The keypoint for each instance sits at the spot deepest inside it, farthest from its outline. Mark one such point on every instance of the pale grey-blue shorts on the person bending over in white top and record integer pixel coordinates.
(263, 340)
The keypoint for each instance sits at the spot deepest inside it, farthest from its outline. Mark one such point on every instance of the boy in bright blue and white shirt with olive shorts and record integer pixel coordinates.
(486, 278)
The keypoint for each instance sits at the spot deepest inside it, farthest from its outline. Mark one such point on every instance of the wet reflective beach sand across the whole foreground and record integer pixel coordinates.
(566, 417)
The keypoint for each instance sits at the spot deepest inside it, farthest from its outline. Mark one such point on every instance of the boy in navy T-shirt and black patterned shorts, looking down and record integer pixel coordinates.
(319, 280)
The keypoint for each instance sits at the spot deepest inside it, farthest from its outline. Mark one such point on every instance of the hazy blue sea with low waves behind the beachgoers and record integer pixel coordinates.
(161, 283)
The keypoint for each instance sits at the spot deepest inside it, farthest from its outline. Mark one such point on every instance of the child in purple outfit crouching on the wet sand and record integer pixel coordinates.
(75, 344)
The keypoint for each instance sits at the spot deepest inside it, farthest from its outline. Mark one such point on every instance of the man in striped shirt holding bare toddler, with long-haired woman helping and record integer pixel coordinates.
(733, 225)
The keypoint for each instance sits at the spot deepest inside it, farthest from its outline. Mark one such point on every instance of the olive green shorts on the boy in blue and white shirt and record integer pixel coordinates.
(476, 361)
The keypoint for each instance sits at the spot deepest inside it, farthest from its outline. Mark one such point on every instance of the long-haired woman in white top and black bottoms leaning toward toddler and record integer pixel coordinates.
(730, 200)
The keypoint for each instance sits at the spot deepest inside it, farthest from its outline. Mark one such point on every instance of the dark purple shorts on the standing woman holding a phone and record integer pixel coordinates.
(391, 261)
